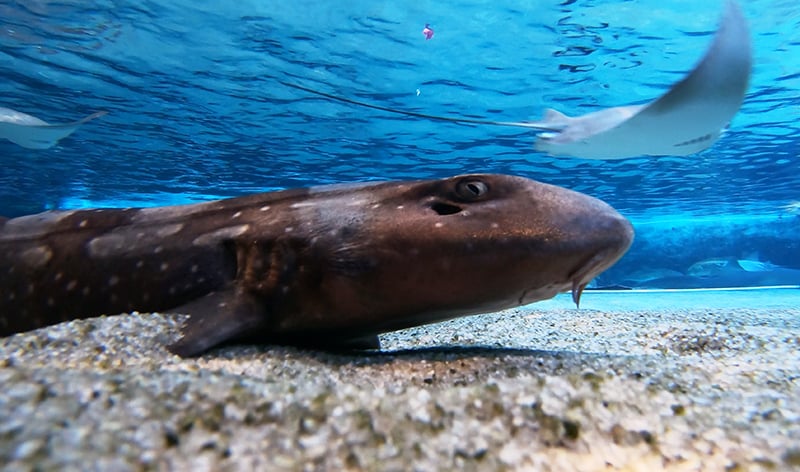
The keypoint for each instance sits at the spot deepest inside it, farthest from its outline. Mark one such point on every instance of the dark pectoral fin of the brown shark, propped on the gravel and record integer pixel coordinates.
(217, 318)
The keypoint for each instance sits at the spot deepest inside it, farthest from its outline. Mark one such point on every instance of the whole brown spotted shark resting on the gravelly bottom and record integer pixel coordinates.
(323, 267)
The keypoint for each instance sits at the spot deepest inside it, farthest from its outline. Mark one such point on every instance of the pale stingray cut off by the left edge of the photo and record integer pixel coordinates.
(32, 133)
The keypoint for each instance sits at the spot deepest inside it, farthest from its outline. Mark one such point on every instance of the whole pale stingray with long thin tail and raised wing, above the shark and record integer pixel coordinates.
(687, 119)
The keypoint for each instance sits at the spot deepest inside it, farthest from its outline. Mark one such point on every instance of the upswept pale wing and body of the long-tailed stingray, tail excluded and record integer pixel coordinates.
(687, 119)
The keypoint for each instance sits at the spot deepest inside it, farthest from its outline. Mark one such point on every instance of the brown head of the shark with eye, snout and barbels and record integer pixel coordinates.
(474, 243)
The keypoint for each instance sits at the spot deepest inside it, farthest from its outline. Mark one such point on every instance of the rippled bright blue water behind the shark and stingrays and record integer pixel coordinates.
(196, 110)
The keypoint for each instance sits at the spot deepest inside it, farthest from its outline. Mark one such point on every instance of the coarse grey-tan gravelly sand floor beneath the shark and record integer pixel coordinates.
(631, 381)
